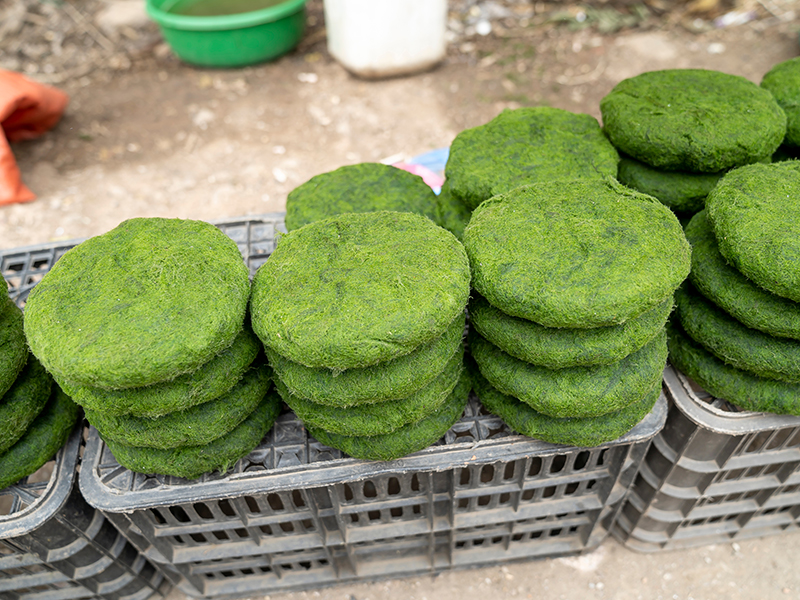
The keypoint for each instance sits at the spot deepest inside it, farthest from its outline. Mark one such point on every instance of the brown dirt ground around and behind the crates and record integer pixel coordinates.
(146, 135)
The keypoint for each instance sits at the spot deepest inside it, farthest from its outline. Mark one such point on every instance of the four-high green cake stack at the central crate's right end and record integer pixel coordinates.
(576, 281)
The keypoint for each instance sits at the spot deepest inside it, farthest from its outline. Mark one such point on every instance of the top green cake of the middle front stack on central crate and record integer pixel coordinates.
(358, 289)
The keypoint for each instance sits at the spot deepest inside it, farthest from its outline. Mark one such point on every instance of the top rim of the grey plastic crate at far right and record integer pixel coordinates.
(709, 417)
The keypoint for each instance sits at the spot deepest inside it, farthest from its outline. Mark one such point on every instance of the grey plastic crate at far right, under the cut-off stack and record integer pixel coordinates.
(713, 474)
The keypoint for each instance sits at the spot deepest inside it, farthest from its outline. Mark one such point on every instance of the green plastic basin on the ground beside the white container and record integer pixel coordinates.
(232, 40)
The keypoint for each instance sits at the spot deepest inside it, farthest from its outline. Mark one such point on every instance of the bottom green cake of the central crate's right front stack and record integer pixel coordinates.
(587, 432)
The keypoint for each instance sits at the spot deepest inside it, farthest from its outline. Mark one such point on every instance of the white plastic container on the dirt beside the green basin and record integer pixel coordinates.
(381, 38)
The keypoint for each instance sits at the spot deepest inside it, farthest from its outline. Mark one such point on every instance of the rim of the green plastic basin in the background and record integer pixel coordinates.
(222, 22)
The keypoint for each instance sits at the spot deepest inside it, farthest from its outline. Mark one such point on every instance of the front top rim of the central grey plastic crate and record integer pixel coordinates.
(346, 470)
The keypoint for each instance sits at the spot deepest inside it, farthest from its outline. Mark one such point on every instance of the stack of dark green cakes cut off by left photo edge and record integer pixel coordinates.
(35, 417)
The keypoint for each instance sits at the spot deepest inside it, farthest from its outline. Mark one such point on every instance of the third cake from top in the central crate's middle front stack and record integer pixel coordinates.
(381, 417)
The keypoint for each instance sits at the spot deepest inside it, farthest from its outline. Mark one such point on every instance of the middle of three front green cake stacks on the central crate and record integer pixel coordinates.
(362, 317)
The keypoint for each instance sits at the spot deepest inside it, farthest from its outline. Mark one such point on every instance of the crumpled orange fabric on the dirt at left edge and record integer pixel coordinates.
(27, 110)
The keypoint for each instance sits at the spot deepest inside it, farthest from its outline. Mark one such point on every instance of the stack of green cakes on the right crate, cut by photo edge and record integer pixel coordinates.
(737, 331)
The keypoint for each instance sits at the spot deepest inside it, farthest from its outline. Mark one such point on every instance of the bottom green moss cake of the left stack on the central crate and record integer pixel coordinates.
(191, 462)
